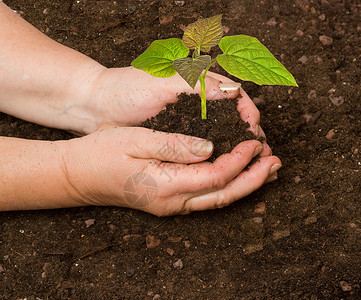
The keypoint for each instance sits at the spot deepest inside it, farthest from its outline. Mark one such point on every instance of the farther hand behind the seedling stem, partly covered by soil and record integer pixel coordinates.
(127, 96)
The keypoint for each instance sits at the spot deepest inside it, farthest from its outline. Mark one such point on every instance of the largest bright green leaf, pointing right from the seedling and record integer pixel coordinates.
(246, 58)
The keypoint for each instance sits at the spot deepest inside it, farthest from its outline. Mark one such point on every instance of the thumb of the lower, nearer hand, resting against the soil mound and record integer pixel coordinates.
(179, 148)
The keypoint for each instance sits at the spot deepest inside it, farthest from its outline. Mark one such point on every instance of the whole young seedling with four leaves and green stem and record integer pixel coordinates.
(243, 57)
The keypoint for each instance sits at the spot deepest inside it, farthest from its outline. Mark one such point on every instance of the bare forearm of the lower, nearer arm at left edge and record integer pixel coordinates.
(33, 176)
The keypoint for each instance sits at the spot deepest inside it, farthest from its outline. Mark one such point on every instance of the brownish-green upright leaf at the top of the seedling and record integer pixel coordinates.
(203, 34)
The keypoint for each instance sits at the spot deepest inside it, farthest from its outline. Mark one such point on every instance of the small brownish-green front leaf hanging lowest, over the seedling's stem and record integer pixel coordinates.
(191, 68)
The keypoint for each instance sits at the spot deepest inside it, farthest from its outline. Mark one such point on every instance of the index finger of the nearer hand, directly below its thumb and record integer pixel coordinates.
(204, 177)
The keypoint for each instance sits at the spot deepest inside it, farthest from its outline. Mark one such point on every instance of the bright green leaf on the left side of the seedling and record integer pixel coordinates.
(158, 59)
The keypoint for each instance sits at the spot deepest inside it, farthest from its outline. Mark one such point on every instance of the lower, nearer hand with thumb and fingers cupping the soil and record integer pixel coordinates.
(160, 173)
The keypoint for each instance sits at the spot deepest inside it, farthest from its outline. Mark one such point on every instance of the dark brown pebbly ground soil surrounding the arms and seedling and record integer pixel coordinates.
(298, 237)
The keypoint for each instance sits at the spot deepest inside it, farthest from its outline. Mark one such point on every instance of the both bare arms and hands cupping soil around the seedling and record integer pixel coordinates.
(44, 82)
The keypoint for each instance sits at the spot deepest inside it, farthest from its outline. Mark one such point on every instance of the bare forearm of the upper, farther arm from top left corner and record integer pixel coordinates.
(39, 78)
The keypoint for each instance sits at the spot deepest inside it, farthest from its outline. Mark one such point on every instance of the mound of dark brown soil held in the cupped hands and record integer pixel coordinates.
(223, 126)
